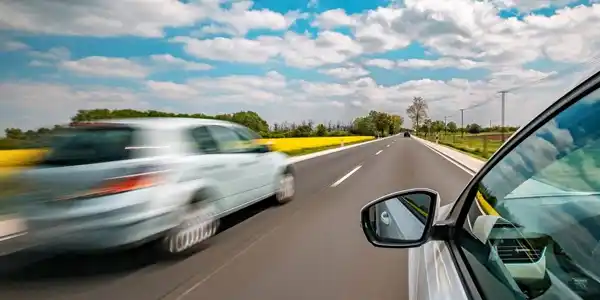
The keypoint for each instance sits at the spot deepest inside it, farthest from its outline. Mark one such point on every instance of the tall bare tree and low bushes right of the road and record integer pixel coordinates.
(418, 113)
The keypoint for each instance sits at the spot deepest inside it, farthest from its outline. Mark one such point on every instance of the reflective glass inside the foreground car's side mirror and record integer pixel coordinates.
(402, 218)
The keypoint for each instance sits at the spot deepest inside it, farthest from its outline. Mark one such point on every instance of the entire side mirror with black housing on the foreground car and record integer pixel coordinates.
(400, 220)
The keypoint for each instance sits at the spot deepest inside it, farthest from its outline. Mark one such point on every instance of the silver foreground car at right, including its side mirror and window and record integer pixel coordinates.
(527, 226)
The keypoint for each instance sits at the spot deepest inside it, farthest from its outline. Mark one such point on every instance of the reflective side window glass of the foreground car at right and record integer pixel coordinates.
(535, 225)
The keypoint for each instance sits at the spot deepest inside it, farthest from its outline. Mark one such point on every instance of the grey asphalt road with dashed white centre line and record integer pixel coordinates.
(311, 248)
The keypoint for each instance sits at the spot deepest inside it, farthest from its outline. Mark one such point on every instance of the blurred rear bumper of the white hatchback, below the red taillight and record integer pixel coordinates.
(97, 224)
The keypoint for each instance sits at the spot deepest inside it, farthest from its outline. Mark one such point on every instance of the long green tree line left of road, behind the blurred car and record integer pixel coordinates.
(373, 124)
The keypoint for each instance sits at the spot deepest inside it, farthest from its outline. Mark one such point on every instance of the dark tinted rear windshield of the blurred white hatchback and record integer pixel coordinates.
(79, 146)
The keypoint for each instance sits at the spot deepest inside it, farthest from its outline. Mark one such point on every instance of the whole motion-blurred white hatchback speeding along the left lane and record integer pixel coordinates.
(115, 183)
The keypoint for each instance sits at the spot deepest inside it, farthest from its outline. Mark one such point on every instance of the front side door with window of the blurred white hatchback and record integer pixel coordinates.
(242, 155)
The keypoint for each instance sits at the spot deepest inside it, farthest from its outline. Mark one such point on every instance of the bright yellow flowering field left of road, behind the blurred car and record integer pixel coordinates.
(12, 158)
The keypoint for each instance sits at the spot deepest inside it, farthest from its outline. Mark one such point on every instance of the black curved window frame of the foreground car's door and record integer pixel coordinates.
(449, 228)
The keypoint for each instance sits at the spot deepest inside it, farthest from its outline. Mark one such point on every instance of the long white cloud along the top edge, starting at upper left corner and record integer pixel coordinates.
(133, 17)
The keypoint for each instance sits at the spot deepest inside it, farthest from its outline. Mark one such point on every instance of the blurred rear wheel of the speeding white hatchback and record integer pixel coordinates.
(190, 235)
